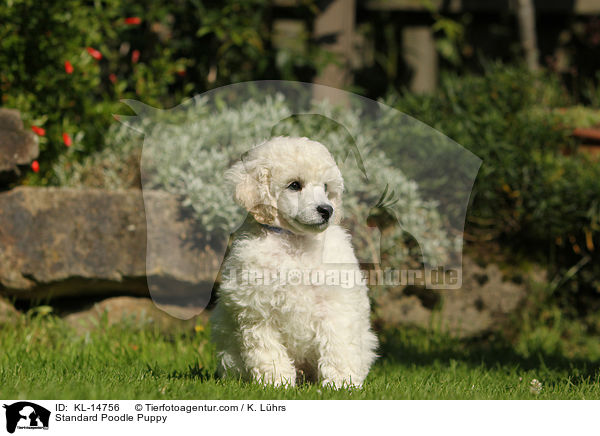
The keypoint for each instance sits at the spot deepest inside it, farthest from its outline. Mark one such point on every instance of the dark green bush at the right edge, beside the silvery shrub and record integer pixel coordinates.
(529, 195)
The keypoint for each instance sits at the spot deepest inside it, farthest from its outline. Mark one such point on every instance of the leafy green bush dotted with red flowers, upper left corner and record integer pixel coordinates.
(35, 45)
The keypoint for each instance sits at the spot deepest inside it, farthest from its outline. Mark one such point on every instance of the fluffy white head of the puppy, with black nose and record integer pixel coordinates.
(291, 183)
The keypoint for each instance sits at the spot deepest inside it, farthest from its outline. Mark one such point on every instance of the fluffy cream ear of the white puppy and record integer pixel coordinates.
(252, 190)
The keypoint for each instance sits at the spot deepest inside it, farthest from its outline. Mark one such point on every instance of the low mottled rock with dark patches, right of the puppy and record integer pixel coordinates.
(484, 304)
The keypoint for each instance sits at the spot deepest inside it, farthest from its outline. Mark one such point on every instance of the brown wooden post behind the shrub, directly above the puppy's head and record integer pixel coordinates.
(335, 27)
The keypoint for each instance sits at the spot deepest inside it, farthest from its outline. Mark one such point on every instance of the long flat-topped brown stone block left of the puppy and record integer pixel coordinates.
(58, 242)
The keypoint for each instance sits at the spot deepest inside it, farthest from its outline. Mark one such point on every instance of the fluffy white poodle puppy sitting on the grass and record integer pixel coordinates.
(286, 309)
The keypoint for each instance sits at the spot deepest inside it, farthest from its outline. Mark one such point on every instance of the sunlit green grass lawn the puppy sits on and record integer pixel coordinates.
(42, 358)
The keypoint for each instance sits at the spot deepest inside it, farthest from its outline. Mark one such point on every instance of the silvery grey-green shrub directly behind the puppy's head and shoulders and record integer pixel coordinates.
(187, 151)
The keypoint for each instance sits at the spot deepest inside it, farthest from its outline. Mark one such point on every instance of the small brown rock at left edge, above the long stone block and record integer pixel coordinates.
(17, 146)
